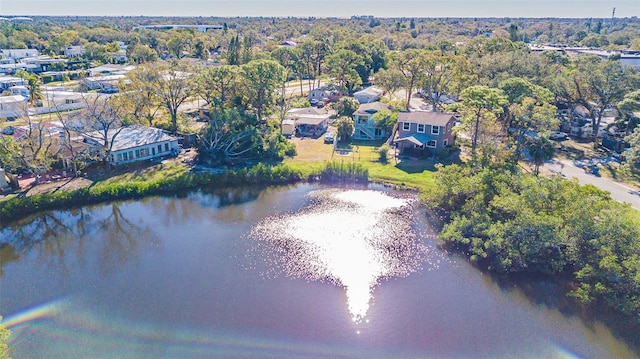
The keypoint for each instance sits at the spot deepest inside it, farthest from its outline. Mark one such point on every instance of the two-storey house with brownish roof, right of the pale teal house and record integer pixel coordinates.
(422, 132)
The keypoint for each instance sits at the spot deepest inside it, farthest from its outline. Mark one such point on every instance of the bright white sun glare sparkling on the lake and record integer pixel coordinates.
(352, 238)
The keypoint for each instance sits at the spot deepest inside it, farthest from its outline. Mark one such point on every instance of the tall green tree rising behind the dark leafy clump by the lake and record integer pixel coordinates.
(262, 77)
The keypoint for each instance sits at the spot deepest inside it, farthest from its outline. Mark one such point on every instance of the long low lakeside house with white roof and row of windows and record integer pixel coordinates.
(137, 143)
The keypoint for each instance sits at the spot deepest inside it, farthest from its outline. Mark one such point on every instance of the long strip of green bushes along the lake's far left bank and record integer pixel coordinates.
(20, 207)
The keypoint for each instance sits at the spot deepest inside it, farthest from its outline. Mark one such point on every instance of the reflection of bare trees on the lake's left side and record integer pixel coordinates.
(63, 238)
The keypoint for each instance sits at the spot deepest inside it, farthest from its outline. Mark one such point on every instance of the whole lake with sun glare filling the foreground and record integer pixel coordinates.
(304, 271)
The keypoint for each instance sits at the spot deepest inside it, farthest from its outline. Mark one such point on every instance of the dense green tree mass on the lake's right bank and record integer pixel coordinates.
(510, 222)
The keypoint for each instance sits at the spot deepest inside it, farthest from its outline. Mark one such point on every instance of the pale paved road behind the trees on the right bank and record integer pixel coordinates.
(619, 191)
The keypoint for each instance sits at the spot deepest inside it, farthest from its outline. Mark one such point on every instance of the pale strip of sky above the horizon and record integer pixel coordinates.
(326, 8)
